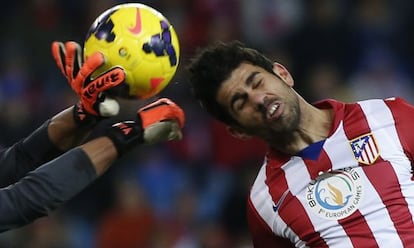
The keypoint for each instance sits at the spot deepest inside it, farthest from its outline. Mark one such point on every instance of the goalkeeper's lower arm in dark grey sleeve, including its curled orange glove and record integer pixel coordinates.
(52, 184)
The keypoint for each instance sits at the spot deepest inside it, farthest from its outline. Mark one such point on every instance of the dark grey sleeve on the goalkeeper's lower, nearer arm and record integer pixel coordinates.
(44, 189)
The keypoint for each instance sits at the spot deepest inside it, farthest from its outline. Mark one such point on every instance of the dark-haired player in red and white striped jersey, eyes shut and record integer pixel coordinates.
(336, 174)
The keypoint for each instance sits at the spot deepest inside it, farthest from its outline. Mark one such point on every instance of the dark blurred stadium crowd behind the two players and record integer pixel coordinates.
(192, 193)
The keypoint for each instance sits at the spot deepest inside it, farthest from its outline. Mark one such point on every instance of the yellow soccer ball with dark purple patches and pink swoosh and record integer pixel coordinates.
(139, 39)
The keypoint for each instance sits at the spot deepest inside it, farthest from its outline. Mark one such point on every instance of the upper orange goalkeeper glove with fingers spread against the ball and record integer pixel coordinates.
(93, 103)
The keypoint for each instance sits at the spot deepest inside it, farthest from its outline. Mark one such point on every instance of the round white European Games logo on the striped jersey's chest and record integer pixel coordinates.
(335, 195)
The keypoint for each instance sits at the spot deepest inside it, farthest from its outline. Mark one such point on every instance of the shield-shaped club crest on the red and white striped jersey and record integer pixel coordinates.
(365, 149)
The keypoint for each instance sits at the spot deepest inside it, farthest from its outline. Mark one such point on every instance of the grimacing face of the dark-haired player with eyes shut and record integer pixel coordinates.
(263, 104)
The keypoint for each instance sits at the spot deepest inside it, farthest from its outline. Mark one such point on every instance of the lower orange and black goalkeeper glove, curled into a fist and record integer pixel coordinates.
(159, 121)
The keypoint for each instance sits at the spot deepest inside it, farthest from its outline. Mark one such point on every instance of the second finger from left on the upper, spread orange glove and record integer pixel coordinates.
(73, 59)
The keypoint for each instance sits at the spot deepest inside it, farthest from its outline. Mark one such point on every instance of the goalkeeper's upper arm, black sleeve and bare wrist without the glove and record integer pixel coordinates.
(55, 136)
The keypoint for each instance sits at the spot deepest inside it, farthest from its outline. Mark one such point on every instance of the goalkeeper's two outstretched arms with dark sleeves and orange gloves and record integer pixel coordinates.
(42, 171)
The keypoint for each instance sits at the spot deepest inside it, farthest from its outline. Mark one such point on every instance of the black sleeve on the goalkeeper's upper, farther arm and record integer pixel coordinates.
(26, 155)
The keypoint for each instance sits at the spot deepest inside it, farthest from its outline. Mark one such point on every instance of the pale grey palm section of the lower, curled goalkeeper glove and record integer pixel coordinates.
(162, 131)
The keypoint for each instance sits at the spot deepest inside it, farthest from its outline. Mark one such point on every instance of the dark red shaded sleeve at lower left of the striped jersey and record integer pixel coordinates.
(262, 236)
